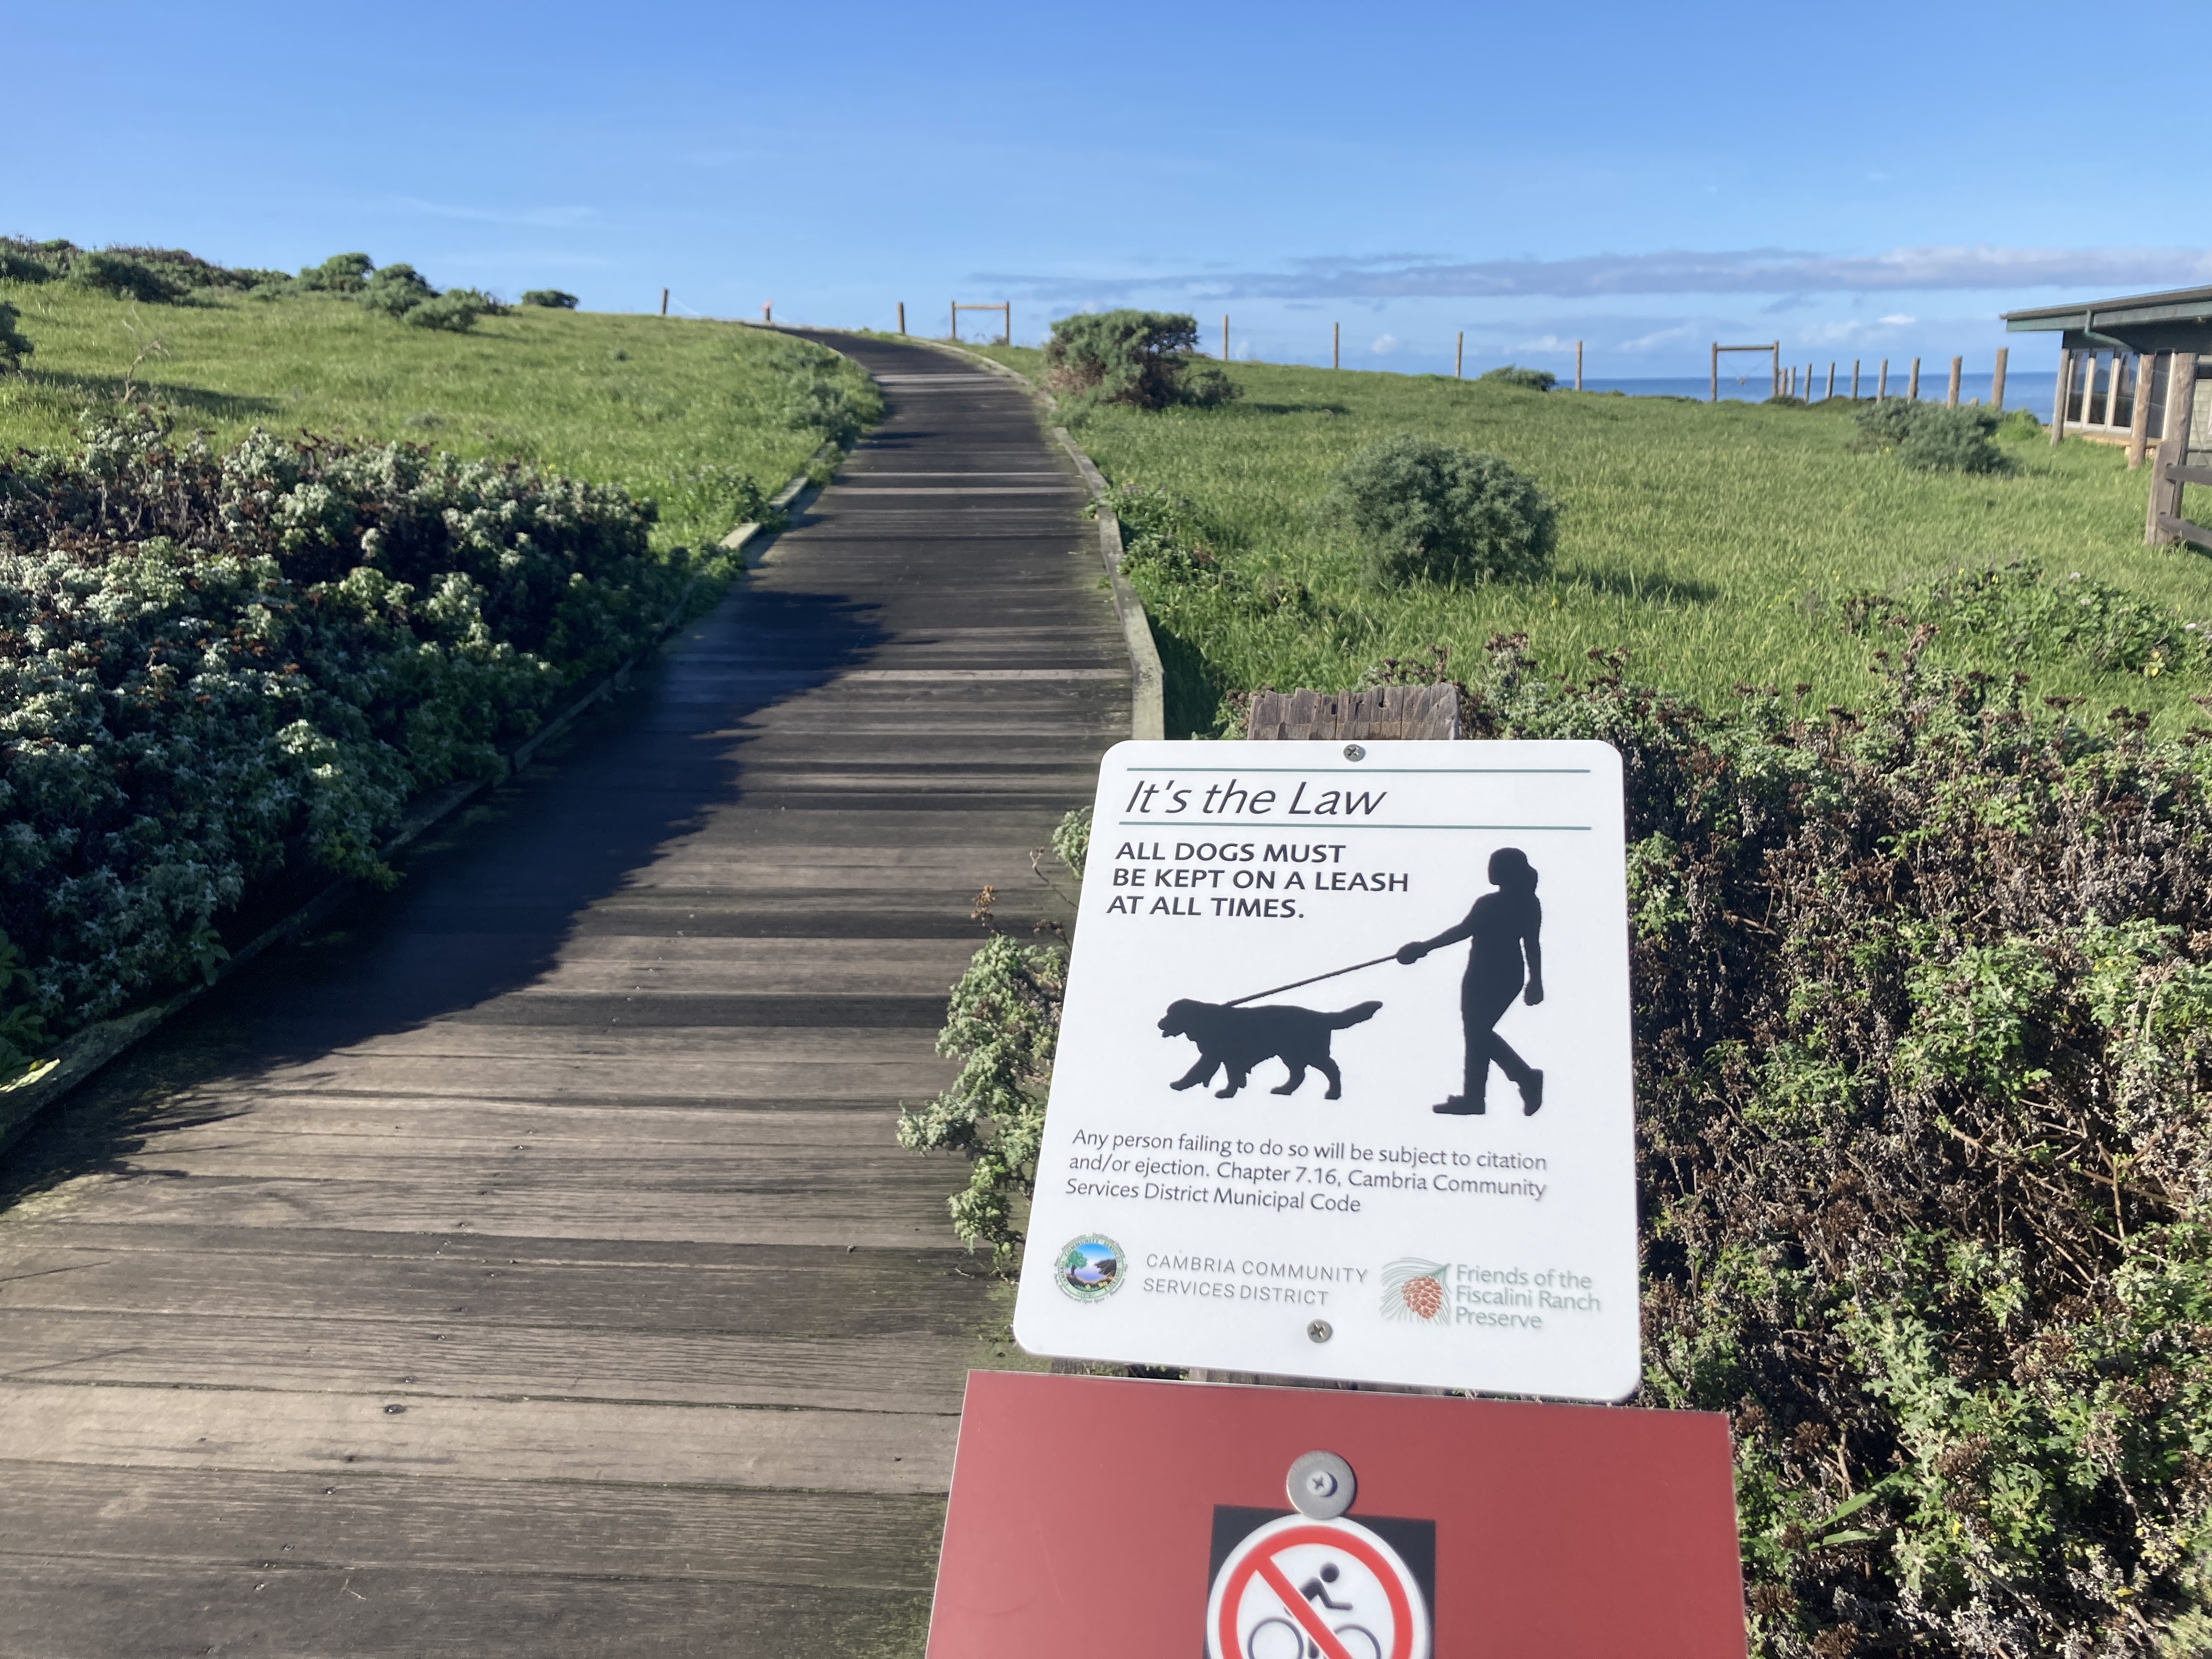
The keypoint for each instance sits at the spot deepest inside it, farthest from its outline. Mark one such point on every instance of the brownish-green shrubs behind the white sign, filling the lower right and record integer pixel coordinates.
(1923, 1041)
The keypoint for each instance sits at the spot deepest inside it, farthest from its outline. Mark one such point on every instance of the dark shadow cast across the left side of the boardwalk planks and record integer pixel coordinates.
(483, 906)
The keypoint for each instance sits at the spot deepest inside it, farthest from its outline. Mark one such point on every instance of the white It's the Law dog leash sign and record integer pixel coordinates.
(1344, 1076)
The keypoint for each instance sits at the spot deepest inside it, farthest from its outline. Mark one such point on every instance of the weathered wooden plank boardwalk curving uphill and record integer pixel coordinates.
(525, 1264)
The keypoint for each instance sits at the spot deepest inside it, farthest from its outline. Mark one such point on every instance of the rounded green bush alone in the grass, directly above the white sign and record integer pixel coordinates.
(1432, 512)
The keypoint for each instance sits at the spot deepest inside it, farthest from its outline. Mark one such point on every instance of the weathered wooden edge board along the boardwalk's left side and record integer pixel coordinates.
(87, 1052)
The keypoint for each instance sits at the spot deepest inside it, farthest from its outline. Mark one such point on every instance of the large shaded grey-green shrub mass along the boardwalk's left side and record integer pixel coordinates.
(220, 667)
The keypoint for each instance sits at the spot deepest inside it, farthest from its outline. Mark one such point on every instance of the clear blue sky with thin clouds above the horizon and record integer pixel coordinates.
(1872, 180)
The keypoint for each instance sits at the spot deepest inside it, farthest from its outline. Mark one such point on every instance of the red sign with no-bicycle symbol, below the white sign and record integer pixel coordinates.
(1103, 1519)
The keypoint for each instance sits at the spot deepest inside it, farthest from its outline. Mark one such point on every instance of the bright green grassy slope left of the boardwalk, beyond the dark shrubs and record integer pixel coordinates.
(636, 401)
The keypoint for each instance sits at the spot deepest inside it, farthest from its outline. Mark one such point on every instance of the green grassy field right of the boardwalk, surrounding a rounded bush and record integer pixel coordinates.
(1711, 543)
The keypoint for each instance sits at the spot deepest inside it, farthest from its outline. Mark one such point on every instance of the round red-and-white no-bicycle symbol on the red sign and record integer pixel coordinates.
(1315, 1589)
